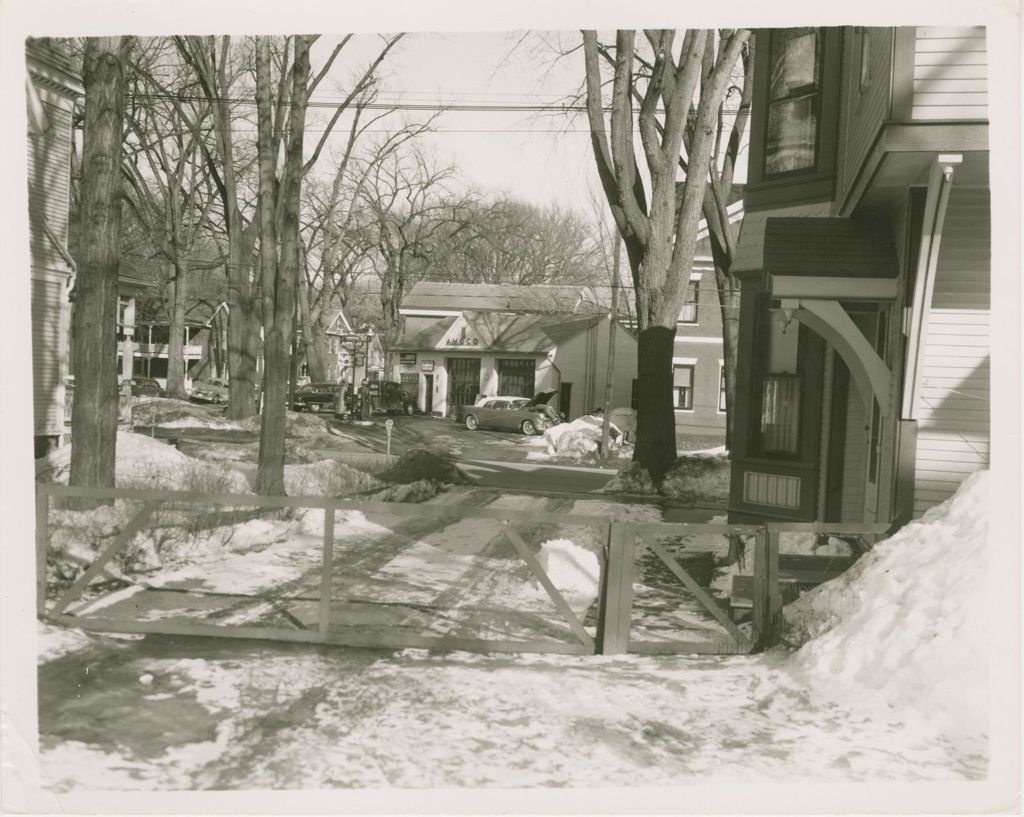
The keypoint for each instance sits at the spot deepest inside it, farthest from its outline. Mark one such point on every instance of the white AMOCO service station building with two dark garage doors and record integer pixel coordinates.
(461, 341)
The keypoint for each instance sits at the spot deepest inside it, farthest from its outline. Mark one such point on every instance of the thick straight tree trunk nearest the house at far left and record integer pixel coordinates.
(95, 416)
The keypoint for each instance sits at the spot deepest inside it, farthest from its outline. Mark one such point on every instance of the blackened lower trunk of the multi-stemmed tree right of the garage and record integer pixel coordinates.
(656, 446)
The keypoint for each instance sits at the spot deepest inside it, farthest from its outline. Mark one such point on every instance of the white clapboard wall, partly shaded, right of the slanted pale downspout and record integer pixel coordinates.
(955, 412)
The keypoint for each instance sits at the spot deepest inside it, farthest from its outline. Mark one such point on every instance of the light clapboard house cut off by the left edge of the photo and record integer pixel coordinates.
(53, 84)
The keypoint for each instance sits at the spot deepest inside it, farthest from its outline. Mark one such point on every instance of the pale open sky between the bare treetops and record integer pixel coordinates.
(543, 158)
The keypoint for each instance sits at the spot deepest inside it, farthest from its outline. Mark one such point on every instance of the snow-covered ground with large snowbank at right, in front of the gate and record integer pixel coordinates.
(889, 683)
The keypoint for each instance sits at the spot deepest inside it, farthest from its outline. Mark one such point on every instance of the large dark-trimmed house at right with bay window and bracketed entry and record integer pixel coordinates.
(864, 375)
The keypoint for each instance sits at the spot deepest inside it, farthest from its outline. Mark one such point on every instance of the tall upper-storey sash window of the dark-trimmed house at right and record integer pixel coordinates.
(793, 102)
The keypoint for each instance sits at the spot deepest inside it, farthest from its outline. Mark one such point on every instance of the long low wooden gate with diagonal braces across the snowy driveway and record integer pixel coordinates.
(317, 609)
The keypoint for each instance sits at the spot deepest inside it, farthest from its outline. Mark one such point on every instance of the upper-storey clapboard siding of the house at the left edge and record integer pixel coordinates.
(50, 176)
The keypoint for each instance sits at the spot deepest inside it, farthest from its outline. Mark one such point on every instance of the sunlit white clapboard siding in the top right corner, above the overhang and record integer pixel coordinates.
(951, 74)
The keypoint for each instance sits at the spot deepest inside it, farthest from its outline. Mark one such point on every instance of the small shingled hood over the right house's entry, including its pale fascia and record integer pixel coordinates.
(830, 260)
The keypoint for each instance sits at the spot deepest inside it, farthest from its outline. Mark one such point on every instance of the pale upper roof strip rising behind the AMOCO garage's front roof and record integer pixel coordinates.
(542, 298)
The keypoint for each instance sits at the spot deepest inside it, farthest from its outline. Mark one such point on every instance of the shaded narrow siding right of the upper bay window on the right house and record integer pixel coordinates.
(863, 110)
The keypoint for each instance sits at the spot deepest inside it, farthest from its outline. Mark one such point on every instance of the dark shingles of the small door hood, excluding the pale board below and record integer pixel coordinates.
(828, 248)
